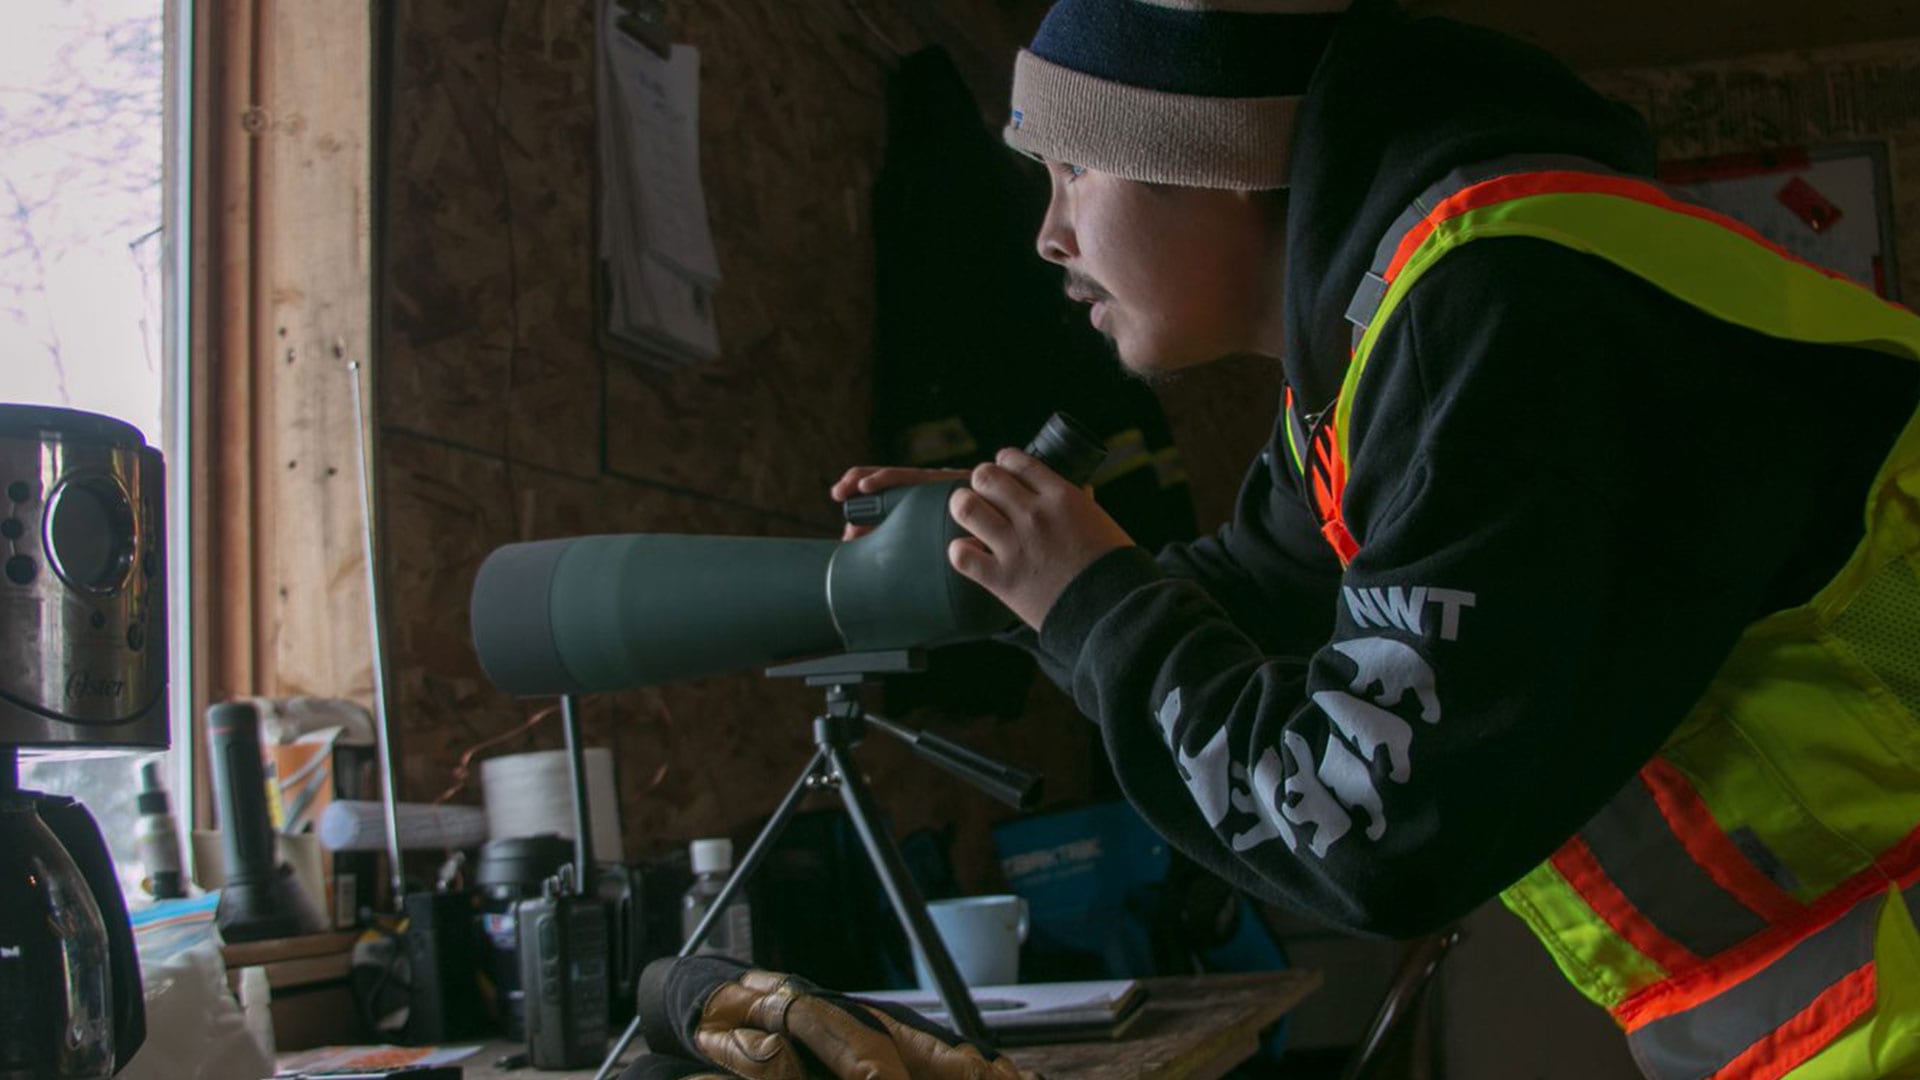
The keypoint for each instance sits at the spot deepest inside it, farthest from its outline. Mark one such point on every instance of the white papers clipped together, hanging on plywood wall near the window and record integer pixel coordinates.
(658, 249)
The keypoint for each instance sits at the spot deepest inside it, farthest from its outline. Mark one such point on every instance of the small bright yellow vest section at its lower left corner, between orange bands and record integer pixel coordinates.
(1596, 960)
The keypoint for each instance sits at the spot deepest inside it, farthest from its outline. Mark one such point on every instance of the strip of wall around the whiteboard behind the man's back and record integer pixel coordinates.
(1863, 93)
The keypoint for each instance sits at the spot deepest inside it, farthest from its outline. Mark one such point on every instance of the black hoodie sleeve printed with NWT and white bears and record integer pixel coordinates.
(1570, 495)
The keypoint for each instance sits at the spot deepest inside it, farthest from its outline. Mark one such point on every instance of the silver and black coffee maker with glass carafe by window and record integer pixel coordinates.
(84, 670)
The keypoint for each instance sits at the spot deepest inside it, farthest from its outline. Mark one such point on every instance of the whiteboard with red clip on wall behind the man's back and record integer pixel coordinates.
(1831, 205)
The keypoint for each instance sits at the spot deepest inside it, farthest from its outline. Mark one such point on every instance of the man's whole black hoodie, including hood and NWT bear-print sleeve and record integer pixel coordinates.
(1572, 493)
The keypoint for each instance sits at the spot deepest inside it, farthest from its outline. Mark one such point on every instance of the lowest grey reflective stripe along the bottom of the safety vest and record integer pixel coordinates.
(1706, 1039)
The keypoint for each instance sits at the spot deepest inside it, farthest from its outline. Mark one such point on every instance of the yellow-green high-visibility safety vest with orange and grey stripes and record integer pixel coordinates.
(1742, 904)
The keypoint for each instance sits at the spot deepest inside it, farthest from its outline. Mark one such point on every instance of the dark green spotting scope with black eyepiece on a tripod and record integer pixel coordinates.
(594, 614)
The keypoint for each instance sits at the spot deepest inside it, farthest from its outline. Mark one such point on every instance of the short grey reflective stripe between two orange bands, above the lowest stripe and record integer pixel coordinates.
(1646, 862)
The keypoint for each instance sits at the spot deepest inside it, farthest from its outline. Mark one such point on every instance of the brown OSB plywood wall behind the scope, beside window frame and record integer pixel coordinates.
(500, 422)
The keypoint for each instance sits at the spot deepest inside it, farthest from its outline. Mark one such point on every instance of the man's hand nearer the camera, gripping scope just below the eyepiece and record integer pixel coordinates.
(1034, 533)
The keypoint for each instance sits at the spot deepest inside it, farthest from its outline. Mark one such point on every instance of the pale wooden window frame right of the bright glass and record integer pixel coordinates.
(281, 216)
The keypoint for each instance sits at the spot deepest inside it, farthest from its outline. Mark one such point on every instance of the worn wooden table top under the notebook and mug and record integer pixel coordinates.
(1189, 1029)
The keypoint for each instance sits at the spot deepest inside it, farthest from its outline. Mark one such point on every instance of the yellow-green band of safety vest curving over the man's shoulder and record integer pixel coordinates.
(1692, 258)
